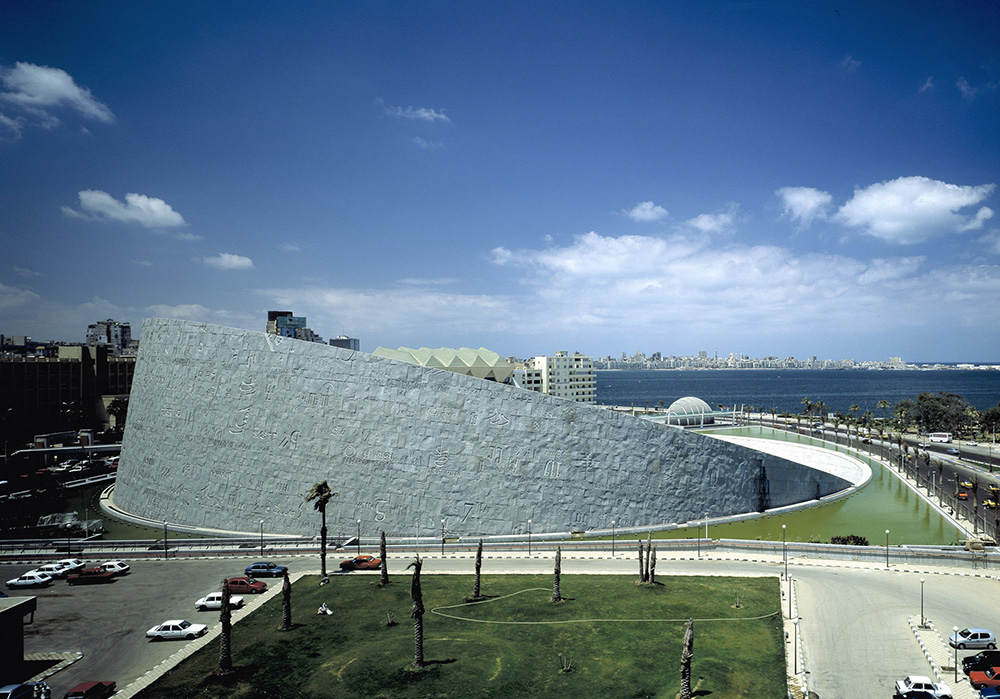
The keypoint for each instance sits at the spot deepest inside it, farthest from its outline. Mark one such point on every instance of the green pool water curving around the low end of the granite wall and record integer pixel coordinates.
(884, 503)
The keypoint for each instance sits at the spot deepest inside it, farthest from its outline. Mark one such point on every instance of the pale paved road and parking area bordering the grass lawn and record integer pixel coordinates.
(855, 637)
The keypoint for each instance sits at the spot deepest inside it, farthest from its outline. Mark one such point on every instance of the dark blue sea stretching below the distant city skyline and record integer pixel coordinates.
(784, 389)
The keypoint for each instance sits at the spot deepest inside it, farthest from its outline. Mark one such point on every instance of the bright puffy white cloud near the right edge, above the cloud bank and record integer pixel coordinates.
(912, 209)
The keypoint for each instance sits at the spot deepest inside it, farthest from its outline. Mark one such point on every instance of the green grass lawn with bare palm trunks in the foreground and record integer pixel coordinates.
(613, 639)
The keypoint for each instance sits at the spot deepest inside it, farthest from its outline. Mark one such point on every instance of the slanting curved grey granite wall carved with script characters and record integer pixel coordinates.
(228, 427)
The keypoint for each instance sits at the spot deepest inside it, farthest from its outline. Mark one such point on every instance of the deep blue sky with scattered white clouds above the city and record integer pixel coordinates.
(753, 177)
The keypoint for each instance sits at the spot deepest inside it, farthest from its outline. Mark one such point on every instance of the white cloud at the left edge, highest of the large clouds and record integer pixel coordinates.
(37, 90)
